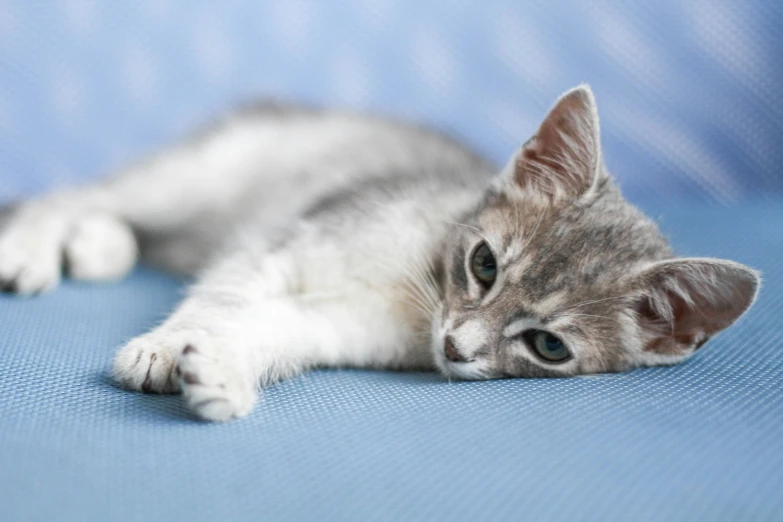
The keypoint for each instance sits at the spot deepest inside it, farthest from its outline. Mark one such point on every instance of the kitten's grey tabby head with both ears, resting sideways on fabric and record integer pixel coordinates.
(556, 274)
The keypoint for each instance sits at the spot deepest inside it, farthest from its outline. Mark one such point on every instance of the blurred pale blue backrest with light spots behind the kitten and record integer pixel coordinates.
(688, 92)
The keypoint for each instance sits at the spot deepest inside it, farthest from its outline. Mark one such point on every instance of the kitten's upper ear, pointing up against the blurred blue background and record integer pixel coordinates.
(562, 161)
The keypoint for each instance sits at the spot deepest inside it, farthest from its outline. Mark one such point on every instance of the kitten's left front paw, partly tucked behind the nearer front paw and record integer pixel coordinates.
(146, 364)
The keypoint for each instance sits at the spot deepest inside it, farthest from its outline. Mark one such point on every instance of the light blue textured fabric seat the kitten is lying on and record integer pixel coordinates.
(701, 441)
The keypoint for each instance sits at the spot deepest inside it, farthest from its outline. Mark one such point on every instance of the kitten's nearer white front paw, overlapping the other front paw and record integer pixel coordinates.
(213, 387)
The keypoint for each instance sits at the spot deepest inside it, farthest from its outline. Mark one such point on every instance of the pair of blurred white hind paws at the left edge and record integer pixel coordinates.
(39, 236)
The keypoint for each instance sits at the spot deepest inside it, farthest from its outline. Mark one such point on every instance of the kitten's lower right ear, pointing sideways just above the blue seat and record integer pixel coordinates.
(681, 303)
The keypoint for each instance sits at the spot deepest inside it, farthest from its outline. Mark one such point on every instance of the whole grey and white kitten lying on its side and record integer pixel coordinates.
(323, 238)
